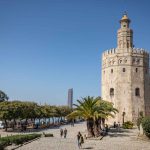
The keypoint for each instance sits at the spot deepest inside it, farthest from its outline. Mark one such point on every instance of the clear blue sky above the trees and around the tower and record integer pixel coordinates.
(49, 46)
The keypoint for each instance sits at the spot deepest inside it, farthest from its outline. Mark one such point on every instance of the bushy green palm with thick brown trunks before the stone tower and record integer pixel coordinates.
(94, 111)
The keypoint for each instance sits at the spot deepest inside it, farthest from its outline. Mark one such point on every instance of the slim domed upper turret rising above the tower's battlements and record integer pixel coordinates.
(125, 35)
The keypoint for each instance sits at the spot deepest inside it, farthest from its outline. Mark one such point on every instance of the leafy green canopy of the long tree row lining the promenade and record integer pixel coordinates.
(24, 110)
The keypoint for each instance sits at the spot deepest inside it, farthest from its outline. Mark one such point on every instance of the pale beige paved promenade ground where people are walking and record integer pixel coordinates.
(124, 140)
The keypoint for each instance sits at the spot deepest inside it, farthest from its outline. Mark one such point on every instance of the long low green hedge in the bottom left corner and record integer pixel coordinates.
(17, 139)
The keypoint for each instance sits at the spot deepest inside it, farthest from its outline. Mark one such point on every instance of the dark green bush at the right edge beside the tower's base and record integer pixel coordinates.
(146, 126)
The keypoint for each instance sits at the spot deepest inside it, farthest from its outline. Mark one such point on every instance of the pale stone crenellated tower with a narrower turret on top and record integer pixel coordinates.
(125, 76)
